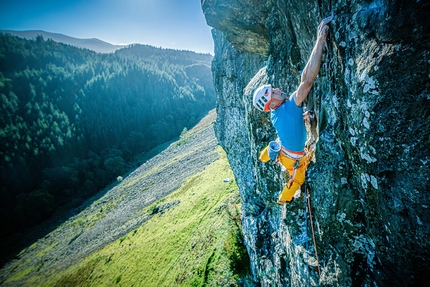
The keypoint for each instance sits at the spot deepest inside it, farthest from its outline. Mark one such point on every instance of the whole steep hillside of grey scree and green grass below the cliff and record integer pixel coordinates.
(175, 214)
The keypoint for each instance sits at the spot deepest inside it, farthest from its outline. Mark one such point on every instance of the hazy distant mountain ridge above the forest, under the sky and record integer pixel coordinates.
(91, 44)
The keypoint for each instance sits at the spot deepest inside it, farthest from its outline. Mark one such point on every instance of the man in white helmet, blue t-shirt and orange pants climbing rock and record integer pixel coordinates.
(287, 118)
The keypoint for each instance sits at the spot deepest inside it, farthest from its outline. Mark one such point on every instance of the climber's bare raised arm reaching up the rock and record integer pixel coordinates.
(312, 67)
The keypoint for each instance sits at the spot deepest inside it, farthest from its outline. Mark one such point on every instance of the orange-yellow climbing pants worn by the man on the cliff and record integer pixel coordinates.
(288, 162)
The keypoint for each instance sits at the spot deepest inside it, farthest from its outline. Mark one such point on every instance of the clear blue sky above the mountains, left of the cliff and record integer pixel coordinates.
(176, 24)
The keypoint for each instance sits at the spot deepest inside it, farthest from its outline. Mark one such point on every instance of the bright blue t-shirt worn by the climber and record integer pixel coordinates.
(290, 126)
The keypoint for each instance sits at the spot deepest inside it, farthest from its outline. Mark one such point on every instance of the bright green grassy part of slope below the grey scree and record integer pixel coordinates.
(195, 243)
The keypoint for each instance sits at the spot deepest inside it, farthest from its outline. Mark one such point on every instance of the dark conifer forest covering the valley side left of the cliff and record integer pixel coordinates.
(73, 120)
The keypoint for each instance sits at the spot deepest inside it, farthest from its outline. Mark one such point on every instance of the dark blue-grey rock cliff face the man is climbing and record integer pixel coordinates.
(369, 177)
